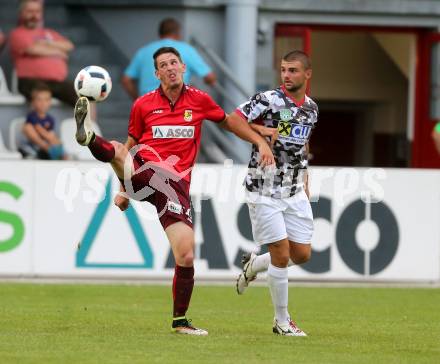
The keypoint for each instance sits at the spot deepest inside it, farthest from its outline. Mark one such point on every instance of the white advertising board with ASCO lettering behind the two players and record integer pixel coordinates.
(370, 224)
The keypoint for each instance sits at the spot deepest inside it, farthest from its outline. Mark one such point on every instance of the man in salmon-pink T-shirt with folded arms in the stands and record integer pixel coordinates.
(40, 54)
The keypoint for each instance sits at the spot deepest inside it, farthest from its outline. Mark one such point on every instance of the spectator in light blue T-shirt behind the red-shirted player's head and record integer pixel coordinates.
(139, 77)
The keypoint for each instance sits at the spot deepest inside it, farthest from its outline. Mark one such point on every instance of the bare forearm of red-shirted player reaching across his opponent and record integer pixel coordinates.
(240, 127)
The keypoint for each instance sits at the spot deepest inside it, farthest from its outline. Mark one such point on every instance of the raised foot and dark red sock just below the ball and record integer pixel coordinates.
(101, 149)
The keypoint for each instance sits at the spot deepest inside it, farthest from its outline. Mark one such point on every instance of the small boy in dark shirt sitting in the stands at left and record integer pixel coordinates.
(39, 128)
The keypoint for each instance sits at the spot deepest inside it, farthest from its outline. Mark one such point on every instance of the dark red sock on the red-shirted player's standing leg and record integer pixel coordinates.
(183, 284)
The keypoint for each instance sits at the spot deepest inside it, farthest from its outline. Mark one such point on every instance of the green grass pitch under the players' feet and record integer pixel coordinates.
(54, 323)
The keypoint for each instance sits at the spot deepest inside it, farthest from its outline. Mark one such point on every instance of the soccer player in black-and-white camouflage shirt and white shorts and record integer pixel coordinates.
(278, 199)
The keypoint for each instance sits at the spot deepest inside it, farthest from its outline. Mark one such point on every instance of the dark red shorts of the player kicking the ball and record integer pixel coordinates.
(168, 193)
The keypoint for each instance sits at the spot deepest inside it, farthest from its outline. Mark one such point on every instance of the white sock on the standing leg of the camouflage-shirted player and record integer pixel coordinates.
(279, 291)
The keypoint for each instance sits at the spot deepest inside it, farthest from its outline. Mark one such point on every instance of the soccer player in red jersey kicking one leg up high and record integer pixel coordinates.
(155, 163)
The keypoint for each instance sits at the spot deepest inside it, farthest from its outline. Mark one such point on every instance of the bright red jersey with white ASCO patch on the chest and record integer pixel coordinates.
(170, 134)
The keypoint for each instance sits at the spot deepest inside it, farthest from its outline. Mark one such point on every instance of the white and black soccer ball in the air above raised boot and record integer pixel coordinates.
(93, 82)
